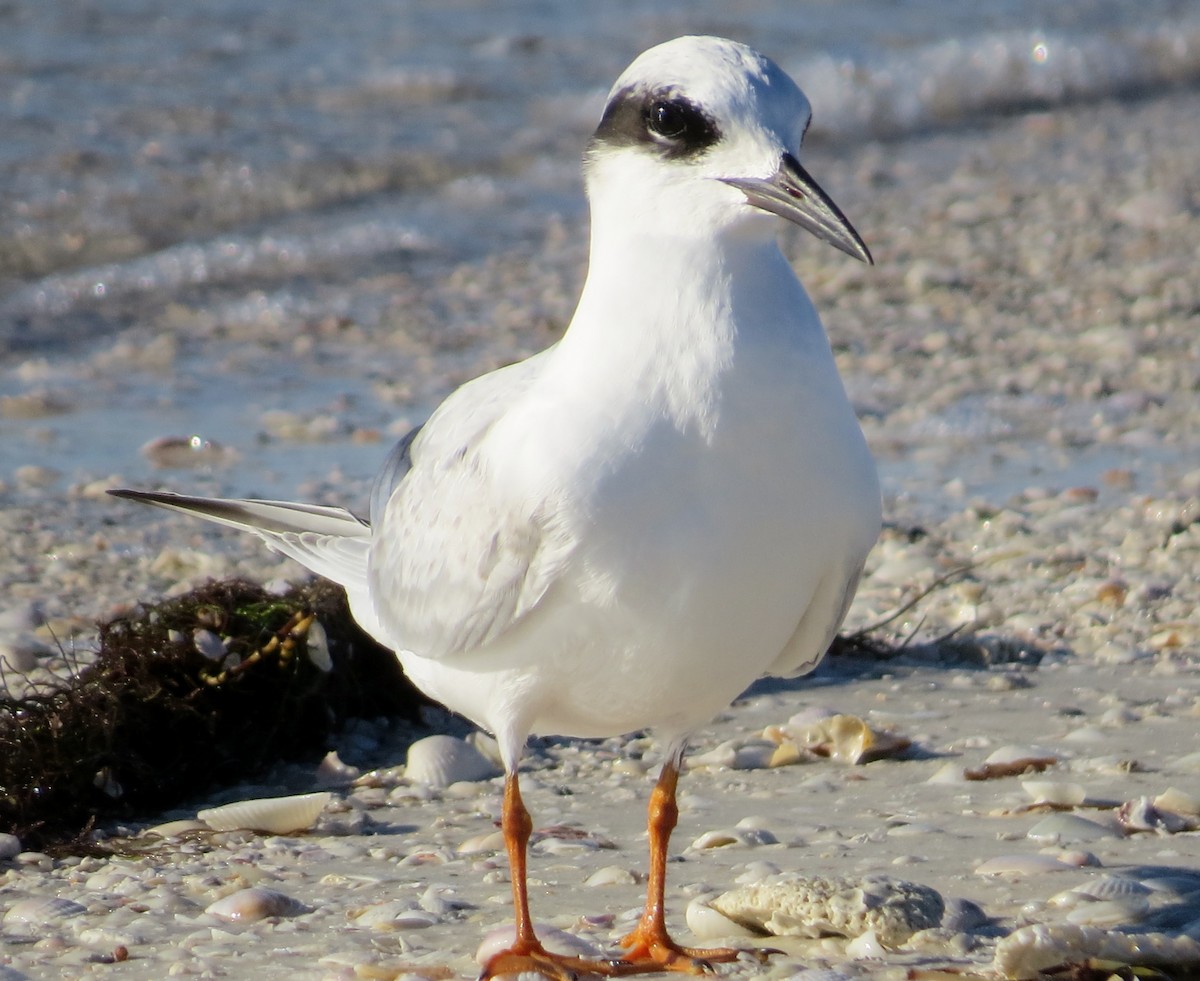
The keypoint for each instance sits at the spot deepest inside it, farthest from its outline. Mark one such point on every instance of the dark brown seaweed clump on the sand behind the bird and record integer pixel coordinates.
(154, 723)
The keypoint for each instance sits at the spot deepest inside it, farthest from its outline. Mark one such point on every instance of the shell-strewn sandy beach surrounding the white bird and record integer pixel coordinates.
(1024, 357)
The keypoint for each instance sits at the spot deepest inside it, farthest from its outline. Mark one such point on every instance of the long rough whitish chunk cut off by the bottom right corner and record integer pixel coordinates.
(1028, 952)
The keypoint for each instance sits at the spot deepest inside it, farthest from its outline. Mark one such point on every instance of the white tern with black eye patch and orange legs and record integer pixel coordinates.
(629, 528)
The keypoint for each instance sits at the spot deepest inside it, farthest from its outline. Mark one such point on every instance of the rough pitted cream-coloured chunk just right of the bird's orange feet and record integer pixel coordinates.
(848, 907)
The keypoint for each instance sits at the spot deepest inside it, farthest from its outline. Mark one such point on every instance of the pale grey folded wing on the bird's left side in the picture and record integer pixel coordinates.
(458, 563)
